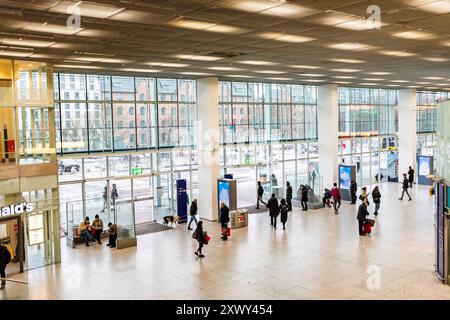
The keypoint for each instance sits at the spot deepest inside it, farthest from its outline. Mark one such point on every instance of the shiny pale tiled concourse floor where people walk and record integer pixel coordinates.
(319, 256)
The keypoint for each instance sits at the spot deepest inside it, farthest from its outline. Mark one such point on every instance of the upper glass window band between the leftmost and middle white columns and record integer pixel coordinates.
(252, 112)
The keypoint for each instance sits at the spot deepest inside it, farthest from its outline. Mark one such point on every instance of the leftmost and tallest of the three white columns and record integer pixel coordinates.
(208, 147)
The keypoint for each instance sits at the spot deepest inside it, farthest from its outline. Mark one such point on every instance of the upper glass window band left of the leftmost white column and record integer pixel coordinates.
(98, 113)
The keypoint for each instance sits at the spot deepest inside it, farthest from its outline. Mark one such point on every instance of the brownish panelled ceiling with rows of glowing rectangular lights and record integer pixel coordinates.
(127, 36)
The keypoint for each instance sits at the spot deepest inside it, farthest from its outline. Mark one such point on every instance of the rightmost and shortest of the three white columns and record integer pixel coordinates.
(407, 134)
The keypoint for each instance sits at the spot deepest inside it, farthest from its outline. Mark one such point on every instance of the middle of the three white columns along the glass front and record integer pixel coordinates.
(328, 129)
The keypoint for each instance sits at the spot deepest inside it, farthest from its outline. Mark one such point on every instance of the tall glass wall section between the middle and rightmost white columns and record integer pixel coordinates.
(368, 125)
